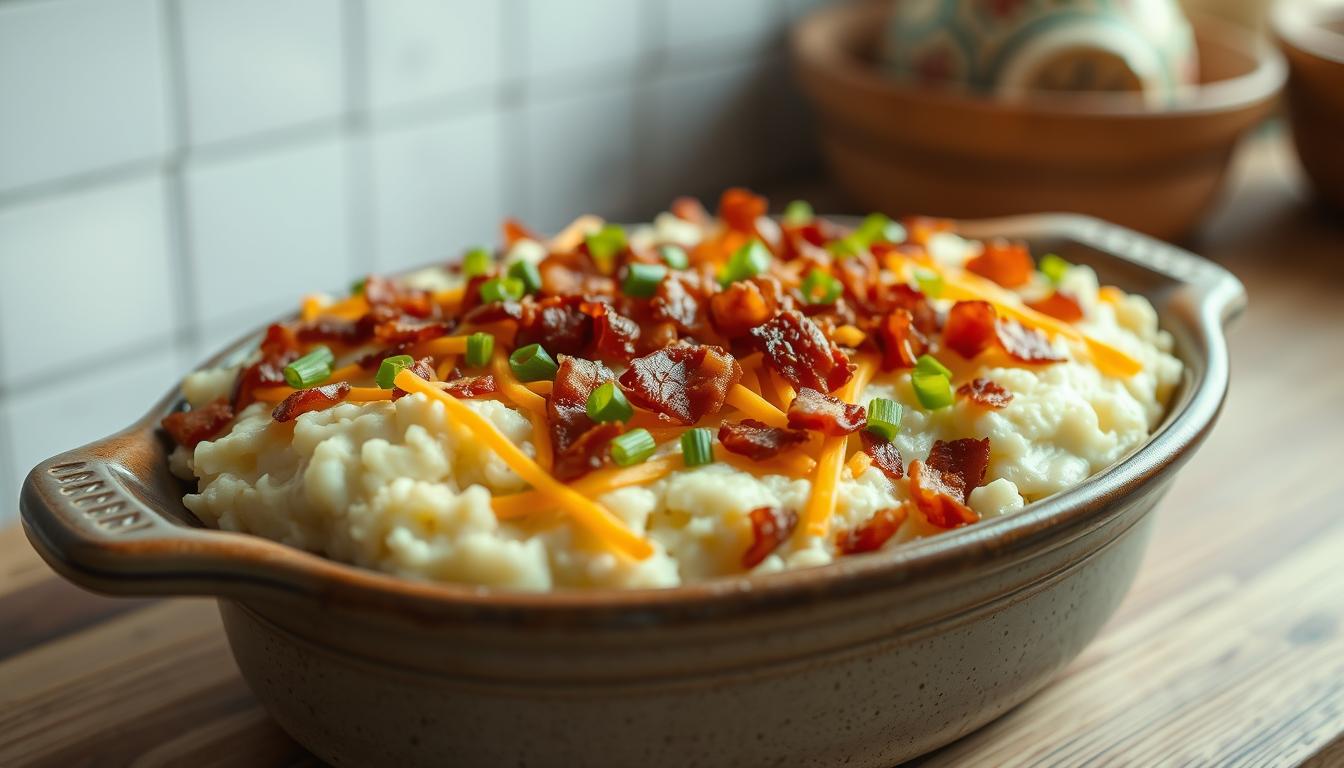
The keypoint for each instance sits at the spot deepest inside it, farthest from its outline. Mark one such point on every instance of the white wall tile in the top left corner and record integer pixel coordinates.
(81, 88)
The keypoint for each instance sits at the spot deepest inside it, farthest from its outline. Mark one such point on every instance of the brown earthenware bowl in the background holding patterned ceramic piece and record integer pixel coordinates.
(902, 150)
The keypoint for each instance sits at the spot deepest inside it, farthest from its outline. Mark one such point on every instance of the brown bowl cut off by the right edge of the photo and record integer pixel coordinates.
(1312, 37)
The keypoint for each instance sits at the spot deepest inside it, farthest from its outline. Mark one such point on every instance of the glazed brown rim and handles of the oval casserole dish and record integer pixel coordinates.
(175, 559)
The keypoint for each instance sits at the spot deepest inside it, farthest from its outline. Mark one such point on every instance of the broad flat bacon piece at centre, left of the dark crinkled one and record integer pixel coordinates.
(683, 383)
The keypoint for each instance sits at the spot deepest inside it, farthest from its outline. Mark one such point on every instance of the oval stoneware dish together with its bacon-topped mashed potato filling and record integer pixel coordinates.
(581, 623)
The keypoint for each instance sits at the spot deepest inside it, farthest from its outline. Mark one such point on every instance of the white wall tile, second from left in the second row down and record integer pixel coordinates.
(267, 229)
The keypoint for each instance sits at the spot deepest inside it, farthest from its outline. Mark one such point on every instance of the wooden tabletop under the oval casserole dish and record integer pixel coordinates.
(1228, 652)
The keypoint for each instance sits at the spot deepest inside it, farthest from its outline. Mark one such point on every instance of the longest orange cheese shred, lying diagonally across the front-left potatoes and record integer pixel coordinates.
(587, 513)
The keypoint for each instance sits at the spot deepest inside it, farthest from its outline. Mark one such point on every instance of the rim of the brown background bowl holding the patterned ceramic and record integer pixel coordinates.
(812, 49)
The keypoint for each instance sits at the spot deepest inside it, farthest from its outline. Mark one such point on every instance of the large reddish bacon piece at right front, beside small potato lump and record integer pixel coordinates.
(941, 486)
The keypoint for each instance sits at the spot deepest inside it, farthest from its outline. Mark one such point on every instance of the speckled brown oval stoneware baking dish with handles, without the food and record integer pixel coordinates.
(865, 662)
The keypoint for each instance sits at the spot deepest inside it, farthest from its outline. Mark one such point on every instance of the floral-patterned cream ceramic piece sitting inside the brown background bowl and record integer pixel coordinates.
(1010, 48)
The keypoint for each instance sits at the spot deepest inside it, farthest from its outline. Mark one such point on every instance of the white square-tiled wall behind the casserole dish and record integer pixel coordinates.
(174, 173)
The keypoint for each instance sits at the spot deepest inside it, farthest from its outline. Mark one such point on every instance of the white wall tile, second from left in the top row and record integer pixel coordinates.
(259, 65)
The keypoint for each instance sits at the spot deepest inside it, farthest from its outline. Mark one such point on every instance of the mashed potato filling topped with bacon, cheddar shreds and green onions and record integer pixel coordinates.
(698, 397)
